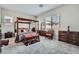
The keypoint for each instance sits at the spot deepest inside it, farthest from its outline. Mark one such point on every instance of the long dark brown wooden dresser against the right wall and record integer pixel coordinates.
(69, 37)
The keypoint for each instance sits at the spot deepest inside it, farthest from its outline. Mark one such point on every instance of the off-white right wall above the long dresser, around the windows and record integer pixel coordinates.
(69, 15)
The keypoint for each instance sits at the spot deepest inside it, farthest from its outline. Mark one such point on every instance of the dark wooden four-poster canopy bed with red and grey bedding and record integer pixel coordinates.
(30, 36)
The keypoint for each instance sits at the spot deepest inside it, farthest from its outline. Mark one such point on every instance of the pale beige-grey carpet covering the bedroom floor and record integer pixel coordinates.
(45, 46)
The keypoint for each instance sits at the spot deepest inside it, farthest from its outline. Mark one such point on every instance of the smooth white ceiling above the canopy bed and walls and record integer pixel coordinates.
(32, 9)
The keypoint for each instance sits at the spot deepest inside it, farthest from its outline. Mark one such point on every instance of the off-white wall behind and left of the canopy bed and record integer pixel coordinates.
(13, 14)
